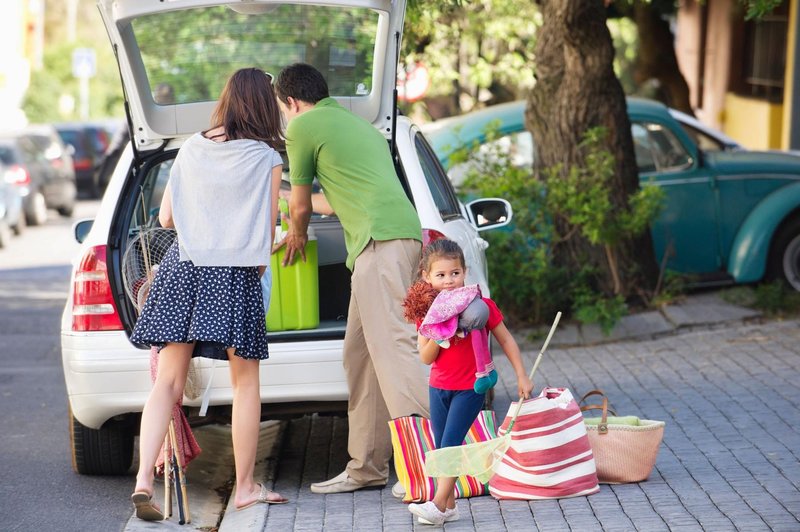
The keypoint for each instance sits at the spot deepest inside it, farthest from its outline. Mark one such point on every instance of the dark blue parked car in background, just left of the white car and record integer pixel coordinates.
(89, 142)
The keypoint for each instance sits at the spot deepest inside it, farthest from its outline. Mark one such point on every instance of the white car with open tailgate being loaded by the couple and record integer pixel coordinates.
(191, 47)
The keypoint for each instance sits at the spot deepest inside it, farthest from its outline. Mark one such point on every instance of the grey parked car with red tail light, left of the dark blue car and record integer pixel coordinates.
(41, 183)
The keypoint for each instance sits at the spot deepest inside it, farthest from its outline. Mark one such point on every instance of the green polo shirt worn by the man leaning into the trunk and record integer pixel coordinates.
(352, 161)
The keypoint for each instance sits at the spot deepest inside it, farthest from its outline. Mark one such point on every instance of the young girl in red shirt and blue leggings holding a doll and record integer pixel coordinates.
(454, 403)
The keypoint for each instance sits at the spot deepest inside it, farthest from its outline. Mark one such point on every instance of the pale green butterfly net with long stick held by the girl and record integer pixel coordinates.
(478, 459)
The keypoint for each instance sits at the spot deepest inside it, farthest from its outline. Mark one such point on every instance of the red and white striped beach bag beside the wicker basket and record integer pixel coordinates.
(550, 456)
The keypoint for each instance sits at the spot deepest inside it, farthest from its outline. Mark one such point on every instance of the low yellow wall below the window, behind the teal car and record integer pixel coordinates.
(757, 124)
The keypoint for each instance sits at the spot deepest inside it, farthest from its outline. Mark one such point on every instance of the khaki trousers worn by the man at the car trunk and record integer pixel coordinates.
(385, 376)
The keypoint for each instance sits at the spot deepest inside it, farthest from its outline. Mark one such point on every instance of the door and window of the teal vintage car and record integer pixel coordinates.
(687, 229)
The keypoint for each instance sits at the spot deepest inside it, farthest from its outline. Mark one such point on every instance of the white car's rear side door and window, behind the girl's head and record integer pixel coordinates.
(456, 225)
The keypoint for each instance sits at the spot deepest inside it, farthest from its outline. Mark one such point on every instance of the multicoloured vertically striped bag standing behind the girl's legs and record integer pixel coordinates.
(412, 437)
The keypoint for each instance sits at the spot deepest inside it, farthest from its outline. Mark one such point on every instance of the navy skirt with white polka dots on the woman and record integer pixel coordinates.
(216, 306)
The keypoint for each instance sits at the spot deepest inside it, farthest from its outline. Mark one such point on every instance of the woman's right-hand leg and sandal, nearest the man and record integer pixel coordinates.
(245, 426)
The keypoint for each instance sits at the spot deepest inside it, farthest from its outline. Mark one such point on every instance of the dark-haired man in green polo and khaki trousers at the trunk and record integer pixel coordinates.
(383, 236)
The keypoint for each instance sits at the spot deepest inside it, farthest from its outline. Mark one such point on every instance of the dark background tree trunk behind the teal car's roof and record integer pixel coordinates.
(657, 59)
